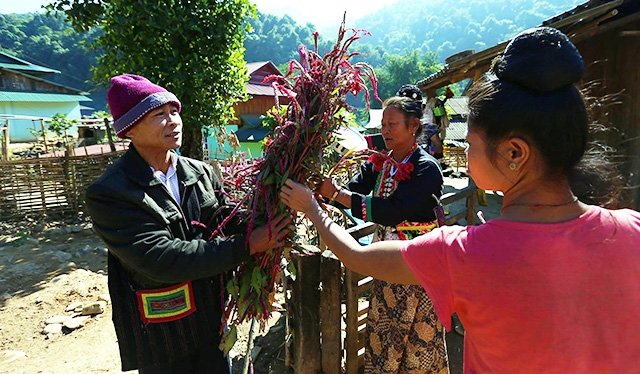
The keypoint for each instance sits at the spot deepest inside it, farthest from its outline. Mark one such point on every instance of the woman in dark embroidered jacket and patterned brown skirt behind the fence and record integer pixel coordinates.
(402, 334)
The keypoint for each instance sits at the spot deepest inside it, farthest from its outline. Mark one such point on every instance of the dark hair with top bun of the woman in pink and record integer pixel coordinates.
(531, 93)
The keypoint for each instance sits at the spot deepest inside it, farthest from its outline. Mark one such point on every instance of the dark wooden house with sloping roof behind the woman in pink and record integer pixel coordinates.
(607, 33)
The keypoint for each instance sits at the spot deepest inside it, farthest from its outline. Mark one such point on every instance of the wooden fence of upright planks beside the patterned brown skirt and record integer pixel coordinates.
(327, 308)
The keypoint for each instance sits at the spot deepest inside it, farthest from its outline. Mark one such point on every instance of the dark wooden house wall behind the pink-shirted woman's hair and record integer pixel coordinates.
(612, 59)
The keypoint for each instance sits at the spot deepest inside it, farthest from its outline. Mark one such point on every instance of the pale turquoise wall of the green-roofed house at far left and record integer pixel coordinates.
(19, 129)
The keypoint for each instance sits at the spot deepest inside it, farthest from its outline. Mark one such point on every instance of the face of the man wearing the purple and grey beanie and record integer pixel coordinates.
(159, 129)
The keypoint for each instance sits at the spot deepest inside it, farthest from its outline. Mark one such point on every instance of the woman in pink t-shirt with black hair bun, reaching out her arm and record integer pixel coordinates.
(553, 284)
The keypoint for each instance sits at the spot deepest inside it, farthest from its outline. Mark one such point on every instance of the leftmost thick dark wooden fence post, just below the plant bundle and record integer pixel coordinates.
(304, 312)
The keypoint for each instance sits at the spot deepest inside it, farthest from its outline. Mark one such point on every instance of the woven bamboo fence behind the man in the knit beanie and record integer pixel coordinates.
(50, 187)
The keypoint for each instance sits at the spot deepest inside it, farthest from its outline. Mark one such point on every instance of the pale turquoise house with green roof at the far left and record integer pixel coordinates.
(27, 94)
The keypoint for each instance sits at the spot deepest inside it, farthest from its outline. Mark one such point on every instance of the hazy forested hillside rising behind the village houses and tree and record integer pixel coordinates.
(408, 38)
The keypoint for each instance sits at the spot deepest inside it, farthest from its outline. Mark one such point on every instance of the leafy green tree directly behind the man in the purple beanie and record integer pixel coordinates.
(192, 47)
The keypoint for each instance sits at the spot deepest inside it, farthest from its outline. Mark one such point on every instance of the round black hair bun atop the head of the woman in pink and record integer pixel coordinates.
(542, 59)
